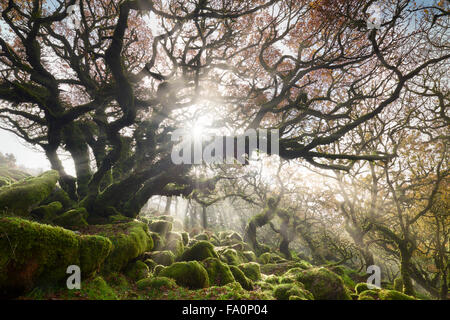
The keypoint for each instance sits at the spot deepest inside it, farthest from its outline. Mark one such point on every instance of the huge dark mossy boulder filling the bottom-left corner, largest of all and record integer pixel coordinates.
(32, 253)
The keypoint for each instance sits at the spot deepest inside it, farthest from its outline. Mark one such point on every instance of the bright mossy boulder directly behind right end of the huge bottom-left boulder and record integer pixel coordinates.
(129, 241)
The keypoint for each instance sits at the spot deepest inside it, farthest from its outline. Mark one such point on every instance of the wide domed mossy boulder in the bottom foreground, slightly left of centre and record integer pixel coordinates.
(189, 274)
